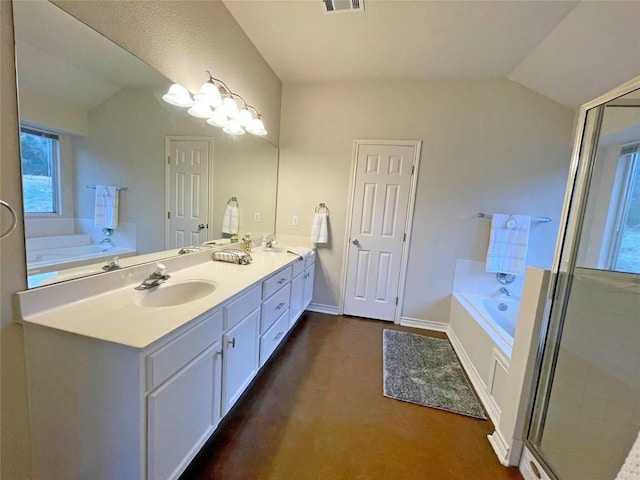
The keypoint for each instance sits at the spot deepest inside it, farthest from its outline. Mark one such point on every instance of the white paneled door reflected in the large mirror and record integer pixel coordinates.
(189, 166)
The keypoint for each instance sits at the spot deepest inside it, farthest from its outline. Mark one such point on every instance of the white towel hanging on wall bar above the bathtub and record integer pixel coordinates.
(508, 243)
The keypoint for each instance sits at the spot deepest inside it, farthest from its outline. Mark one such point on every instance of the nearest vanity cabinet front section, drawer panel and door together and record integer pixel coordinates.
(183, 410)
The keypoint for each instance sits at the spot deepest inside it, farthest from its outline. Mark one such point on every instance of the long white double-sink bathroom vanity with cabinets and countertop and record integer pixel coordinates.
(130, 384)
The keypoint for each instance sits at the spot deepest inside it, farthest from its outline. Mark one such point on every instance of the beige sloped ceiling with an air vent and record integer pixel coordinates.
(567, 50)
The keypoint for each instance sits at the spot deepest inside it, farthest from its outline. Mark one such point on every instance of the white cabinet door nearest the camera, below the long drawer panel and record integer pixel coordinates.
(182, 413)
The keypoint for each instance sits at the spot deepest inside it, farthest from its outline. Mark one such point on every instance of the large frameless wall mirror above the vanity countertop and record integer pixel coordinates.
(92, 115)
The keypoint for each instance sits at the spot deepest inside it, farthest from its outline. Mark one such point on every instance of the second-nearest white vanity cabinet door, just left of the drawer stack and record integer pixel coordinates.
(240, 358)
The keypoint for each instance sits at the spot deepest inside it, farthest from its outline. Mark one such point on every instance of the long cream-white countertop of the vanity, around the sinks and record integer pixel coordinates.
(114, 316)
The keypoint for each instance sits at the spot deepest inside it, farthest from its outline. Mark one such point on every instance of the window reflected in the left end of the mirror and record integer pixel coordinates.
(40, 152)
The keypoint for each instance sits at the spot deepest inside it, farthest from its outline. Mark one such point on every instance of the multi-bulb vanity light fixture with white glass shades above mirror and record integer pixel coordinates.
(220, 106)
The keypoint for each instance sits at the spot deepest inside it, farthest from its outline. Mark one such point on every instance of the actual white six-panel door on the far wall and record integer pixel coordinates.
(382, 203)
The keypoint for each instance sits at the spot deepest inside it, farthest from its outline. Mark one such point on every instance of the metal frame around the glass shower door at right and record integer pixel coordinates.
(578, 182)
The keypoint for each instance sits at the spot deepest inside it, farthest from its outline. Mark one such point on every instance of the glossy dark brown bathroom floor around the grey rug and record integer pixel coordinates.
(317, 412)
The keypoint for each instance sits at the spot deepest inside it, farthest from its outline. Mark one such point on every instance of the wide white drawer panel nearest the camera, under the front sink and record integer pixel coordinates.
(171, 357)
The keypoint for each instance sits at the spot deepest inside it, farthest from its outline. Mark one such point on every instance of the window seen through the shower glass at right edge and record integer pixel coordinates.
(625, 251)
